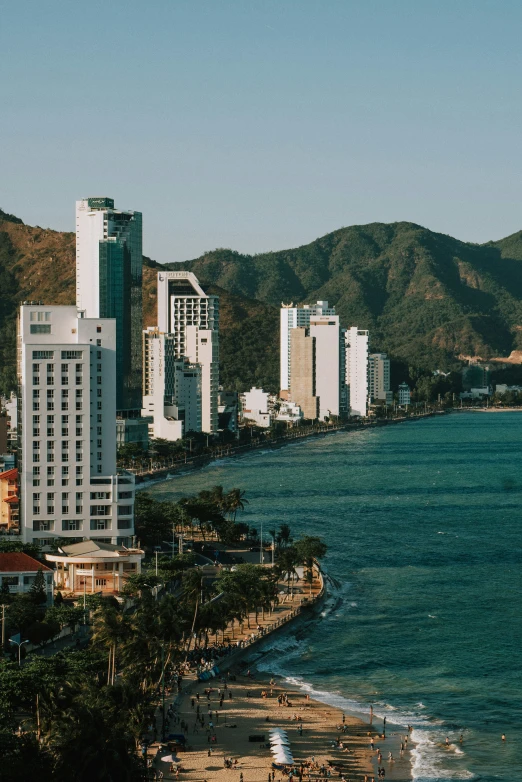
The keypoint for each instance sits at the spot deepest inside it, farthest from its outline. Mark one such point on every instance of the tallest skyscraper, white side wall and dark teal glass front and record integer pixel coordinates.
(109, 285)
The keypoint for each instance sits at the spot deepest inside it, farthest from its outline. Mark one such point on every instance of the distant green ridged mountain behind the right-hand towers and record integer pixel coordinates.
(427, 299)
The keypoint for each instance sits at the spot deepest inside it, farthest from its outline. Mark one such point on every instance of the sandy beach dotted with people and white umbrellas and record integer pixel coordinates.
(246, 714)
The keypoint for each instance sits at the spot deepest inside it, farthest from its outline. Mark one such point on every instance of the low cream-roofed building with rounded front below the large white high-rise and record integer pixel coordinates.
(92, 566)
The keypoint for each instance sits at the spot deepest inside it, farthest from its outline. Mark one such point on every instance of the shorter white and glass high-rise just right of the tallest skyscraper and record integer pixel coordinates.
(171, 388)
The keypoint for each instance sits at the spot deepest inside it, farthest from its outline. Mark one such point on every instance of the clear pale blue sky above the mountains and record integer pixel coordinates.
(263, 125)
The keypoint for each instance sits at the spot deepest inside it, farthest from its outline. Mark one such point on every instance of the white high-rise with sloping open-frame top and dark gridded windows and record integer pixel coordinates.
(192, 317)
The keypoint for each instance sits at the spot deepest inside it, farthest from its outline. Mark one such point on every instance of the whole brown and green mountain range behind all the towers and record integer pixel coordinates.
(428, 300)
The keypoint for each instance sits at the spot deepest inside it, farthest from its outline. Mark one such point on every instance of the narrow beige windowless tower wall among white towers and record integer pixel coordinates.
(302, 368)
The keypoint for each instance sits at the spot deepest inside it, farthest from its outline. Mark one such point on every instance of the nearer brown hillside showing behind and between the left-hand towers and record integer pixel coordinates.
(39, 264)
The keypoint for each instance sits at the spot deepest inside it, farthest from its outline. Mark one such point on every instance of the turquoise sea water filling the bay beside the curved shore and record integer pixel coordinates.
(424, 527)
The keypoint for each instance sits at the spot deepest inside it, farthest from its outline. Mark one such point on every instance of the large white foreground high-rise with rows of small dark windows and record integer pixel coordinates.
(69, 485)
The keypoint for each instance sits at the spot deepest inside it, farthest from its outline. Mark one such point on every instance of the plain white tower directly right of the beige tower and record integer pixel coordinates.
(329, 365)
